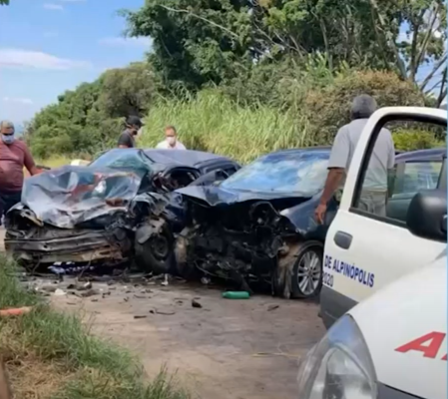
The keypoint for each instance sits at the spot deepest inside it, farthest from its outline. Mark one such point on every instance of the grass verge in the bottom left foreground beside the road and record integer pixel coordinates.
(50, 355)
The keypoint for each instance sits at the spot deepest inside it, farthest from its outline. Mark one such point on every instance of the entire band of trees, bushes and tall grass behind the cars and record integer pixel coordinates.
(243, 78)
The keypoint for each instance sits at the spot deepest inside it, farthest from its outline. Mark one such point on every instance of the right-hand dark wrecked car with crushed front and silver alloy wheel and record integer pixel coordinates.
(259, 224)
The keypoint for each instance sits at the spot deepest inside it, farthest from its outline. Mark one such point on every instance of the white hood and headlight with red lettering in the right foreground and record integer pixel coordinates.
(390, 346)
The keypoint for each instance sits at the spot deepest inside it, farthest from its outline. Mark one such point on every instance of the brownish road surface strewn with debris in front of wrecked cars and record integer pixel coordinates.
(241, 349)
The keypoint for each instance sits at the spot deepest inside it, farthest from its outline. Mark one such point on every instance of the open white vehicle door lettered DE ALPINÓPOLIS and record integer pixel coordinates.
(364, 251)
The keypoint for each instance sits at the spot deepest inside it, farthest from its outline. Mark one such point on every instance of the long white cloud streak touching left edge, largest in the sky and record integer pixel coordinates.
(17, 58)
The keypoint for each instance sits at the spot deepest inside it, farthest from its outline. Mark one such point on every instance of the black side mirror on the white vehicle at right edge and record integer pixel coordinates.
(427, 215)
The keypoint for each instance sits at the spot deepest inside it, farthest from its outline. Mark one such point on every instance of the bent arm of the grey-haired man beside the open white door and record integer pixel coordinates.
(336, 165)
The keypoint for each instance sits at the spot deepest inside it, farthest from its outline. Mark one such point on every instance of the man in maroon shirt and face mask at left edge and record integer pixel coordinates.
(14, 157)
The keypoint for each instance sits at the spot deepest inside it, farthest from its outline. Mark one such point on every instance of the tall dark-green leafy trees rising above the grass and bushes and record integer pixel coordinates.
(200, 42)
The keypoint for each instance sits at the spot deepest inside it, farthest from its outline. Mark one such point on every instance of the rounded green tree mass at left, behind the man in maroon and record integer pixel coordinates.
(89, 118)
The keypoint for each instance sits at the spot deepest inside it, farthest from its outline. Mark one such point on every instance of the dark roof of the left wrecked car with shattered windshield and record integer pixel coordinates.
(189, 158)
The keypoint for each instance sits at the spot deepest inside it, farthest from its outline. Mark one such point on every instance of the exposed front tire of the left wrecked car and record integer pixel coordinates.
(156, 254)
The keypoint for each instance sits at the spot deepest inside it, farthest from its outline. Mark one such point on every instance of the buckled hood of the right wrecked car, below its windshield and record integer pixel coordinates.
(216, 195)
